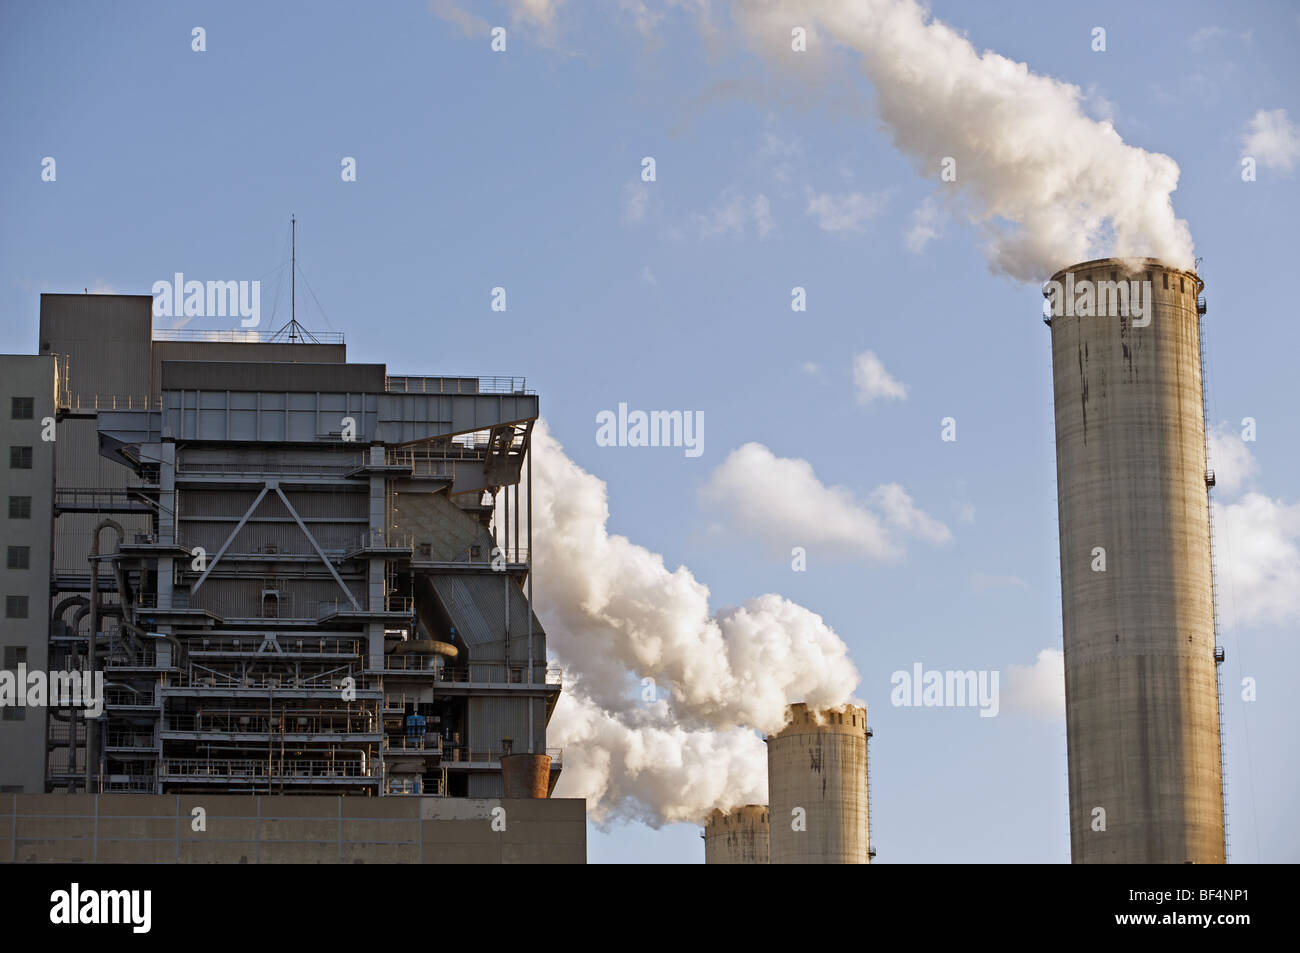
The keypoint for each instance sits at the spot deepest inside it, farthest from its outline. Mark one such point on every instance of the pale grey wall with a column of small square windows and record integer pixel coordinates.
(23, 730)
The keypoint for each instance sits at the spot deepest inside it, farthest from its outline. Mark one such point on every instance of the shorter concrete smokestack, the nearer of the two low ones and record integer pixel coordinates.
(820, 764)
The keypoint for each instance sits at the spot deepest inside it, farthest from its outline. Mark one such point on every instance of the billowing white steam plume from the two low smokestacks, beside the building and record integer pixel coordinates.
(616, 616)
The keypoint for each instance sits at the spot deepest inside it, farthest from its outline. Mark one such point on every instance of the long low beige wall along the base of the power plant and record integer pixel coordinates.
(146, 829)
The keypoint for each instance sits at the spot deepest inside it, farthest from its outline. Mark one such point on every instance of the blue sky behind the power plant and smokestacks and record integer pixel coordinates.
(522, 170)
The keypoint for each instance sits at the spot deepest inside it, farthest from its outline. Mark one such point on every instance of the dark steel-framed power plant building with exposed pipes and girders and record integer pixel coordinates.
(296, 575)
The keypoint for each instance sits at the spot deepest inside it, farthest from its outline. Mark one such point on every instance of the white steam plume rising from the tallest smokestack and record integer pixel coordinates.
(1050, 185)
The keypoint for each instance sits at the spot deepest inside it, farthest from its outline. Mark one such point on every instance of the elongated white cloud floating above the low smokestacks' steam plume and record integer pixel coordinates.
(783, 501)
